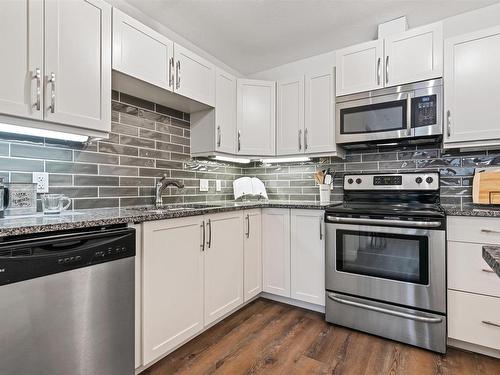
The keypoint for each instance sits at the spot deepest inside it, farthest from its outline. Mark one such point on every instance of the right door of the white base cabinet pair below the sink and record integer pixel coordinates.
(223, 264)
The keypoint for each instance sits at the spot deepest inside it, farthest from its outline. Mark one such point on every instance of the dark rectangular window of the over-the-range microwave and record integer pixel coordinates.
(373, 118)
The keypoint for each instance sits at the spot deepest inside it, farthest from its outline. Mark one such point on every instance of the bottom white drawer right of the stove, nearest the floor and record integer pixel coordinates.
(471, 318)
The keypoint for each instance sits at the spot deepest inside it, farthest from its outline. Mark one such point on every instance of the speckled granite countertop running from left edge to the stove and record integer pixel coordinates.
(19, 225)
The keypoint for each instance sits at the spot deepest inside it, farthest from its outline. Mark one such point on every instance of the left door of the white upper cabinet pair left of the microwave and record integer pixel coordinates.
(290, 119)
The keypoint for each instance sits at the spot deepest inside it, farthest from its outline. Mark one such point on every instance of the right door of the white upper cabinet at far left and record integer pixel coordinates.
(78, 63)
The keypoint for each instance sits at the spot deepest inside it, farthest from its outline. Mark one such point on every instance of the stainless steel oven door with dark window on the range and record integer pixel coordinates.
(404, 266)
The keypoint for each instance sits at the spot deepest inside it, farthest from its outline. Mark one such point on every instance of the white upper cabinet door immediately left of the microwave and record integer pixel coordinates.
(319, 112)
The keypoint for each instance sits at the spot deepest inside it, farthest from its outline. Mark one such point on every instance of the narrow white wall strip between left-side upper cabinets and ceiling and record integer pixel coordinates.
(172, 35)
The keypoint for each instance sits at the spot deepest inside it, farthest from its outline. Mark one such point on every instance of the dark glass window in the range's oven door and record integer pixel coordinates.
(389, 256)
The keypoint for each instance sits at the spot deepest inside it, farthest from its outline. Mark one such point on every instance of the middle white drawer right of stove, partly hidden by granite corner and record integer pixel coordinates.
(467, 270)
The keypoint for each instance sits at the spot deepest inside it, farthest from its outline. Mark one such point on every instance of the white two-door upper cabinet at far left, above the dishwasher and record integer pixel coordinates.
(59, 63)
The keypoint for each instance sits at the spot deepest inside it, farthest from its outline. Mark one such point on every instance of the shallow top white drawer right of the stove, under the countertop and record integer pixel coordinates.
(474, 229)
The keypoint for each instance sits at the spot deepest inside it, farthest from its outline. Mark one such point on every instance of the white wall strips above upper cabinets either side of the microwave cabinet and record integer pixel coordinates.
(467, 22)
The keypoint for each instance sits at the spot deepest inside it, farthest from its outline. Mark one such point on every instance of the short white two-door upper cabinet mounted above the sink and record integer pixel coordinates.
(144, 54)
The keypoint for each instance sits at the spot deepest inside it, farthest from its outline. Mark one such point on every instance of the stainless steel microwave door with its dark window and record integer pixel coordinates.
(372, 119)
